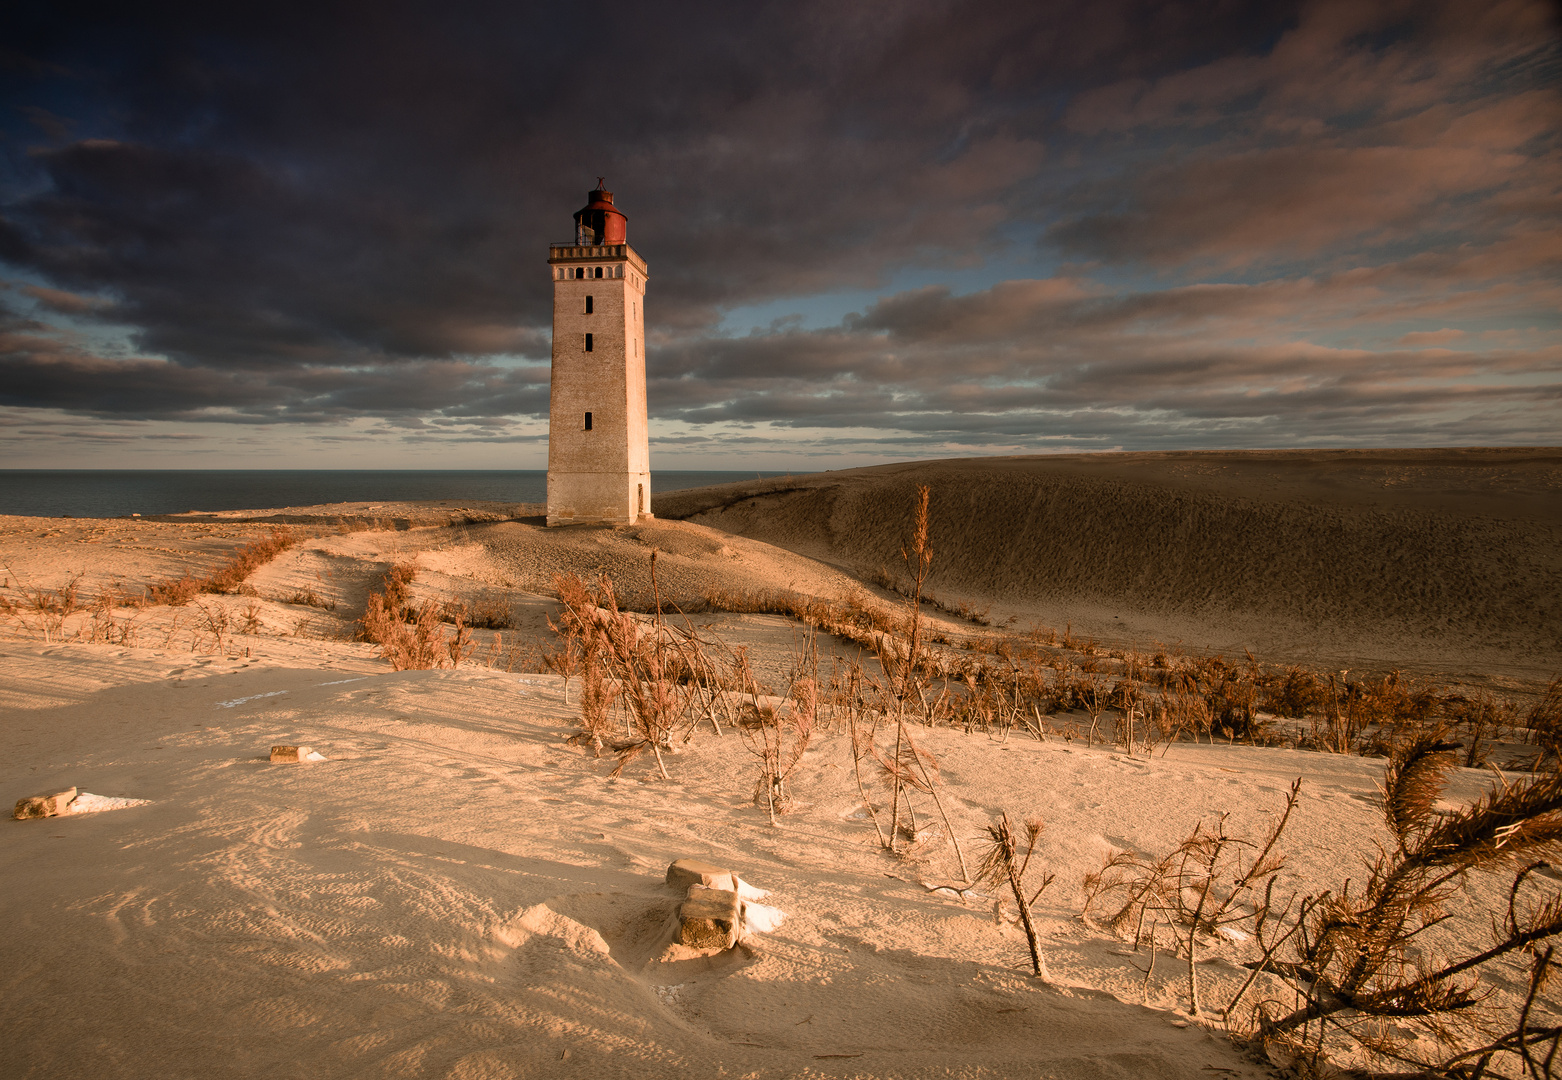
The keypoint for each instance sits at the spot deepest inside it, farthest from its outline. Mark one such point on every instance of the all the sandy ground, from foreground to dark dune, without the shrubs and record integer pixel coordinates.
(460, 889)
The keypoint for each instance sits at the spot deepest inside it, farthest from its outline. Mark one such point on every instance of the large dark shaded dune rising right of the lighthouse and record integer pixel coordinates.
(1430, 560)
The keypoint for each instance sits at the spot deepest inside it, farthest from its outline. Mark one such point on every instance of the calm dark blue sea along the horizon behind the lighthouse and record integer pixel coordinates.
(109, 493)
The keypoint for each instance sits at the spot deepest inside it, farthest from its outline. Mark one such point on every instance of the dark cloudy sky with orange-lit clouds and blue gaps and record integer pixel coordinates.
(315, 235)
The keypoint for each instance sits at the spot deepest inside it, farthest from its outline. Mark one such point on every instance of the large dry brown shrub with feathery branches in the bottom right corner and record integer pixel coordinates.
(1363, 971)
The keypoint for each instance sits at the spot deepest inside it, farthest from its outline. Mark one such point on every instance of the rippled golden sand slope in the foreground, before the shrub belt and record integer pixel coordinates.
(460, 893)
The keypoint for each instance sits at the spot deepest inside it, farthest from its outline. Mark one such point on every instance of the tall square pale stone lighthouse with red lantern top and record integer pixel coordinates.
(599, 449)
